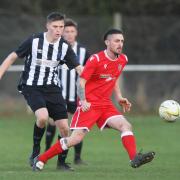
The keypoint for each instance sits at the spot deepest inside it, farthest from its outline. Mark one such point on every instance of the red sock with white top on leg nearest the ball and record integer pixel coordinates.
(129, 143)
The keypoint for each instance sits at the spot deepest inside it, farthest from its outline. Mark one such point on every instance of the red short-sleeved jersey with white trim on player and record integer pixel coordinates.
(101, 73)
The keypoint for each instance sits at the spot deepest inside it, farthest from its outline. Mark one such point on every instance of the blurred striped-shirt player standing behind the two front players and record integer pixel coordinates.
(68, 82)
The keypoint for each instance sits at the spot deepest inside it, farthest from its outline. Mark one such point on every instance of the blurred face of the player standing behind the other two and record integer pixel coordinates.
(70, 34)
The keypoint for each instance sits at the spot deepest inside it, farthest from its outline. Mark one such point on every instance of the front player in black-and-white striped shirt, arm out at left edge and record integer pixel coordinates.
(44, 53)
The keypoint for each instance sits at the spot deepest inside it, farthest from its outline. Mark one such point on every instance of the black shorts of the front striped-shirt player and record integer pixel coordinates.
(49, 97)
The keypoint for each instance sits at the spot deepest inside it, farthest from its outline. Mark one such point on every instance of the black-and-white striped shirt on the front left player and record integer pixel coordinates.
(42, 60)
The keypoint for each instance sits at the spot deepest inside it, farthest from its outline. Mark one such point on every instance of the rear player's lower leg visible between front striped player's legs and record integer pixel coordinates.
(50, 133)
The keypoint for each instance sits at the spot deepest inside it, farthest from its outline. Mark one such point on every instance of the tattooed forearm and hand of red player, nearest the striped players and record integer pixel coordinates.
(81, 83)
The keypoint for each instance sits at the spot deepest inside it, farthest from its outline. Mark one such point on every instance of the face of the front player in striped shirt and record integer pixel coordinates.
(55, 29)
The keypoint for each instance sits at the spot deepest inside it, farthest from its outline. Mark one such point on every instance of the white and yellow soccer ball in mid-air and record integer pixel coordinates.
(169, 110)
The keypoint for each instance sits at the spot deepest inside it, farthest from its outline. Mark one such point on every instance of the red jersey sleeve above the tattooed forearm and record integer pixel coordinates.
(89, 67)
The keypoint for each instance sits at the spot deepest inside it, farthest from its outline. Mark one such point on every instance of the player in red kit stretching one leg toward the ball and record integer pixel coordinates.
(98, 80)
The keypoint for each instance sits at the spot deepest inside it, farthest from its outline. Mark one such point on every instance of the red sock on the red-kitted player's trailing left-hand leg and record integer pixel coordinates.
(51, 152)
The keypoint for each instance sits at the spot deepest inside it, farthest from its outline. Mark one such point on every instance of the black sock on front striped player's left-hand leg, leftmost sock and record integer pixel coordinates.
(37, 136)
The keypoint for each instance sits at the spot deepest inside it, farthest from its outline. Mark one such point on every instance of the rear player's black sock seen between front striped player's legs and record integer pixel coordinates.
(50, 133)
